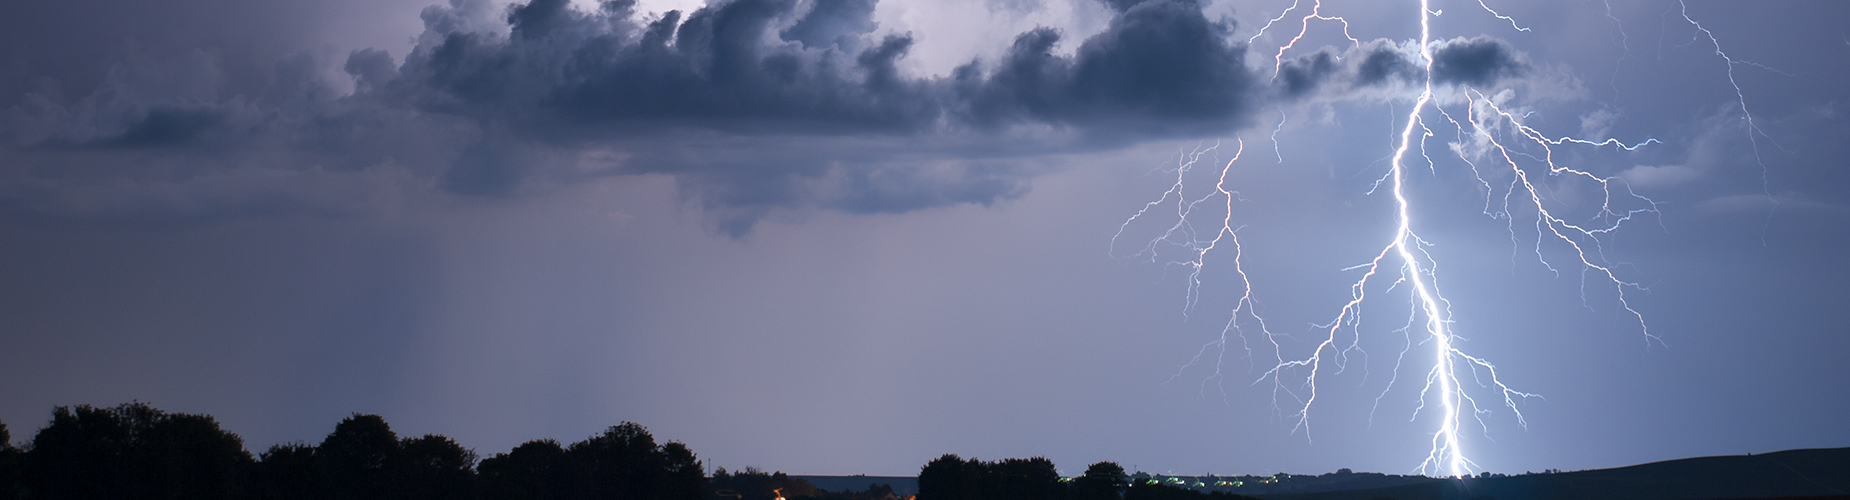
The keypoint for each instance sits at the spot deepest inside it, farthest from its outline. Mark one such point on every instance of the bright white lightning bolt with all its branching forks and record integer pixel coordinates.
(1507, 158)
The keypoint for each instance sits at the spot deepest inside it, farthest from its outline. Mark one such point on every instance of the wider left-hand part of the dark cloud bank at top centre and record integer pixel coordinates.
(719, 69)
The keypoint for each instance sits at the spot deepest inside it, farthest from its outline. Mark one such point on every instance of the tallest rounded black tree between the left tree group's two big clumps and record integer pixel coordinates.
(354, 458)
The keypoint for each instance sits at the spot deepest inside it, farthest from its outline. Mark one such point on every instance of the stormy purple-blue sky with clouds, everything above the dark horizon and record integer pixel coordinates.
(852, 236)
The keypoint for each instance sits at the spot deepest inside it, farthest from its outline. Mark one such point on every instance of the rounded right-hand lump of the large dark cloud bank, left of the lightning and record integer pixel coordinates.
(1161, 69)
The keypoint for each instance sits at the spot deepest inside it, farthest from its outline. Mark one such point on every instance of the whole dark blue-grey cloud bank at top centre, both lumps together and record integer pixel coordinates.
(1159, 62)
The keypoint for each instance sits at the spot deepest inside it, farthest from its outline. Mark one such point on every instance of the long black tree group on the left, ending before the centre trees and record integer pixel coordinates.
(140, 453)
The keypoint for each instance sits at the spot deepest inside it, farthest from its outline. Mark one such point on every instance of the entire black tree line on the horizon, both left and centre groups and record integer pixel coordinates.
(140, 453)
